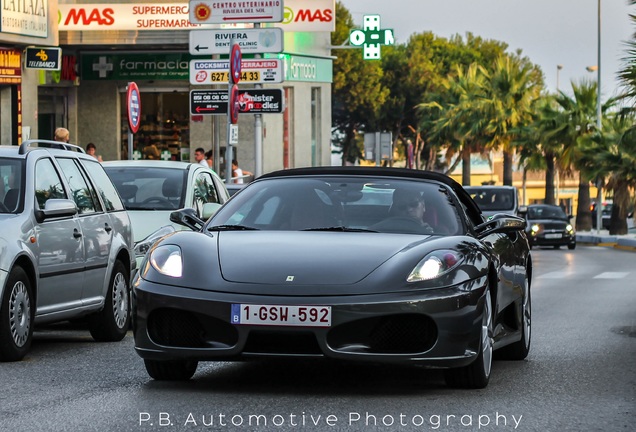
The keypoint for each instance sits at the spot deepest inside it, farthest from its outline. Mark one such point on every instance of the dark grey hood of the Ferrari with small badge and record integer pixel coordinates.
(325, 258)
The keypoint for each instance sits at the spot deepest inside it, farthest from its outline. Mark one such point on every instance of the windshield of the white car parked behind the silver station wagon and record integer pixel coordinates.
(143, 188)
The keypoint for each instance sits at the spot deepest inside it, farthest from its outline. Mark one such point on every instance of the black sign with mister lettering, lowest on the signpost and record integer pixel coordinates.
(252, 101)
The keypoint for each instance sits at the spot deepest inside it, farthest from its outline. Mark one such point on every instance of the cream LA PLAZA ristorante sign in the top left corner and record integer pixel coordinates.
(25, 17)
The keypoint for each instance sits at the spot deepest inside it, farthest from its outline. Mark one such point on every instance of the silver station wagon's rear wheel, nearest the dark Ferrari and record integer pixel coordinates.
(113, 321)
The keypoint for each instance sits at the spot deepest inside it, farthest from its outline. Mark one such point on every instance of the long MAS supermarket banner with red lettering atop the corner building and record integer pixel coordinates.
(299, 15)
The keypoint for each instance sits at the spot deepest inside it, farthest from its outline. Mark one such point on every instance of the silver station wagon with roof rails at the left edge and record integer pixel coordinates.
(65, 245)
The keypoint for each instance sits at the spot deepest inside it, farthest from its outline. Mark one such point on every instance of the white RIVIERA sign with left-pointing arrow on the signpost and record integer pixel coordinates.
(251, 41)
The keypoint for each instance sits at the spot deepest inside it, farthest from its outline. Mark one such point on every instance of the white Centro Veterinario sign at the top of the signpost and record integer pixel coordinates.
(224, 12)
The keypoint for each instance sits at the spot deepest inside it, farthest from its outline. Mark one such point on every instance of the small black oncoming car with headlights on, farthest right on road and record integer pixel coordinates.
(548, 225)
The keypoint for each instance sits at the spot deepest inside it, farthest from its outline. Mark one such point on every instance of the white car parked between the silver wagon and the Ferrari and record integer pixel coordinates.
(151, 190)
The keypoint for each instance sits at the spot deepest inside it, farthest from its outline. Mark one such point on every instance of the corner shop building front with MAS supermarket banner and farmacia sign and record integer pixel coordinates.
(126, 48)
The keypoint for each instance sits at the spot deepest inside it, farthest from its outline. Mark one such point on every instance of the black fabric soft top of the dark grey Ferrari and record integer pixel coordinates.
(471, 207)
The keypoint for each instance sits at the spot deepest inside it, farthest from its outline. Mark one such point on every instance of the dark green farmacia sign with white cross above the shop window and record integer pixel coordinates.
(136, 66)
